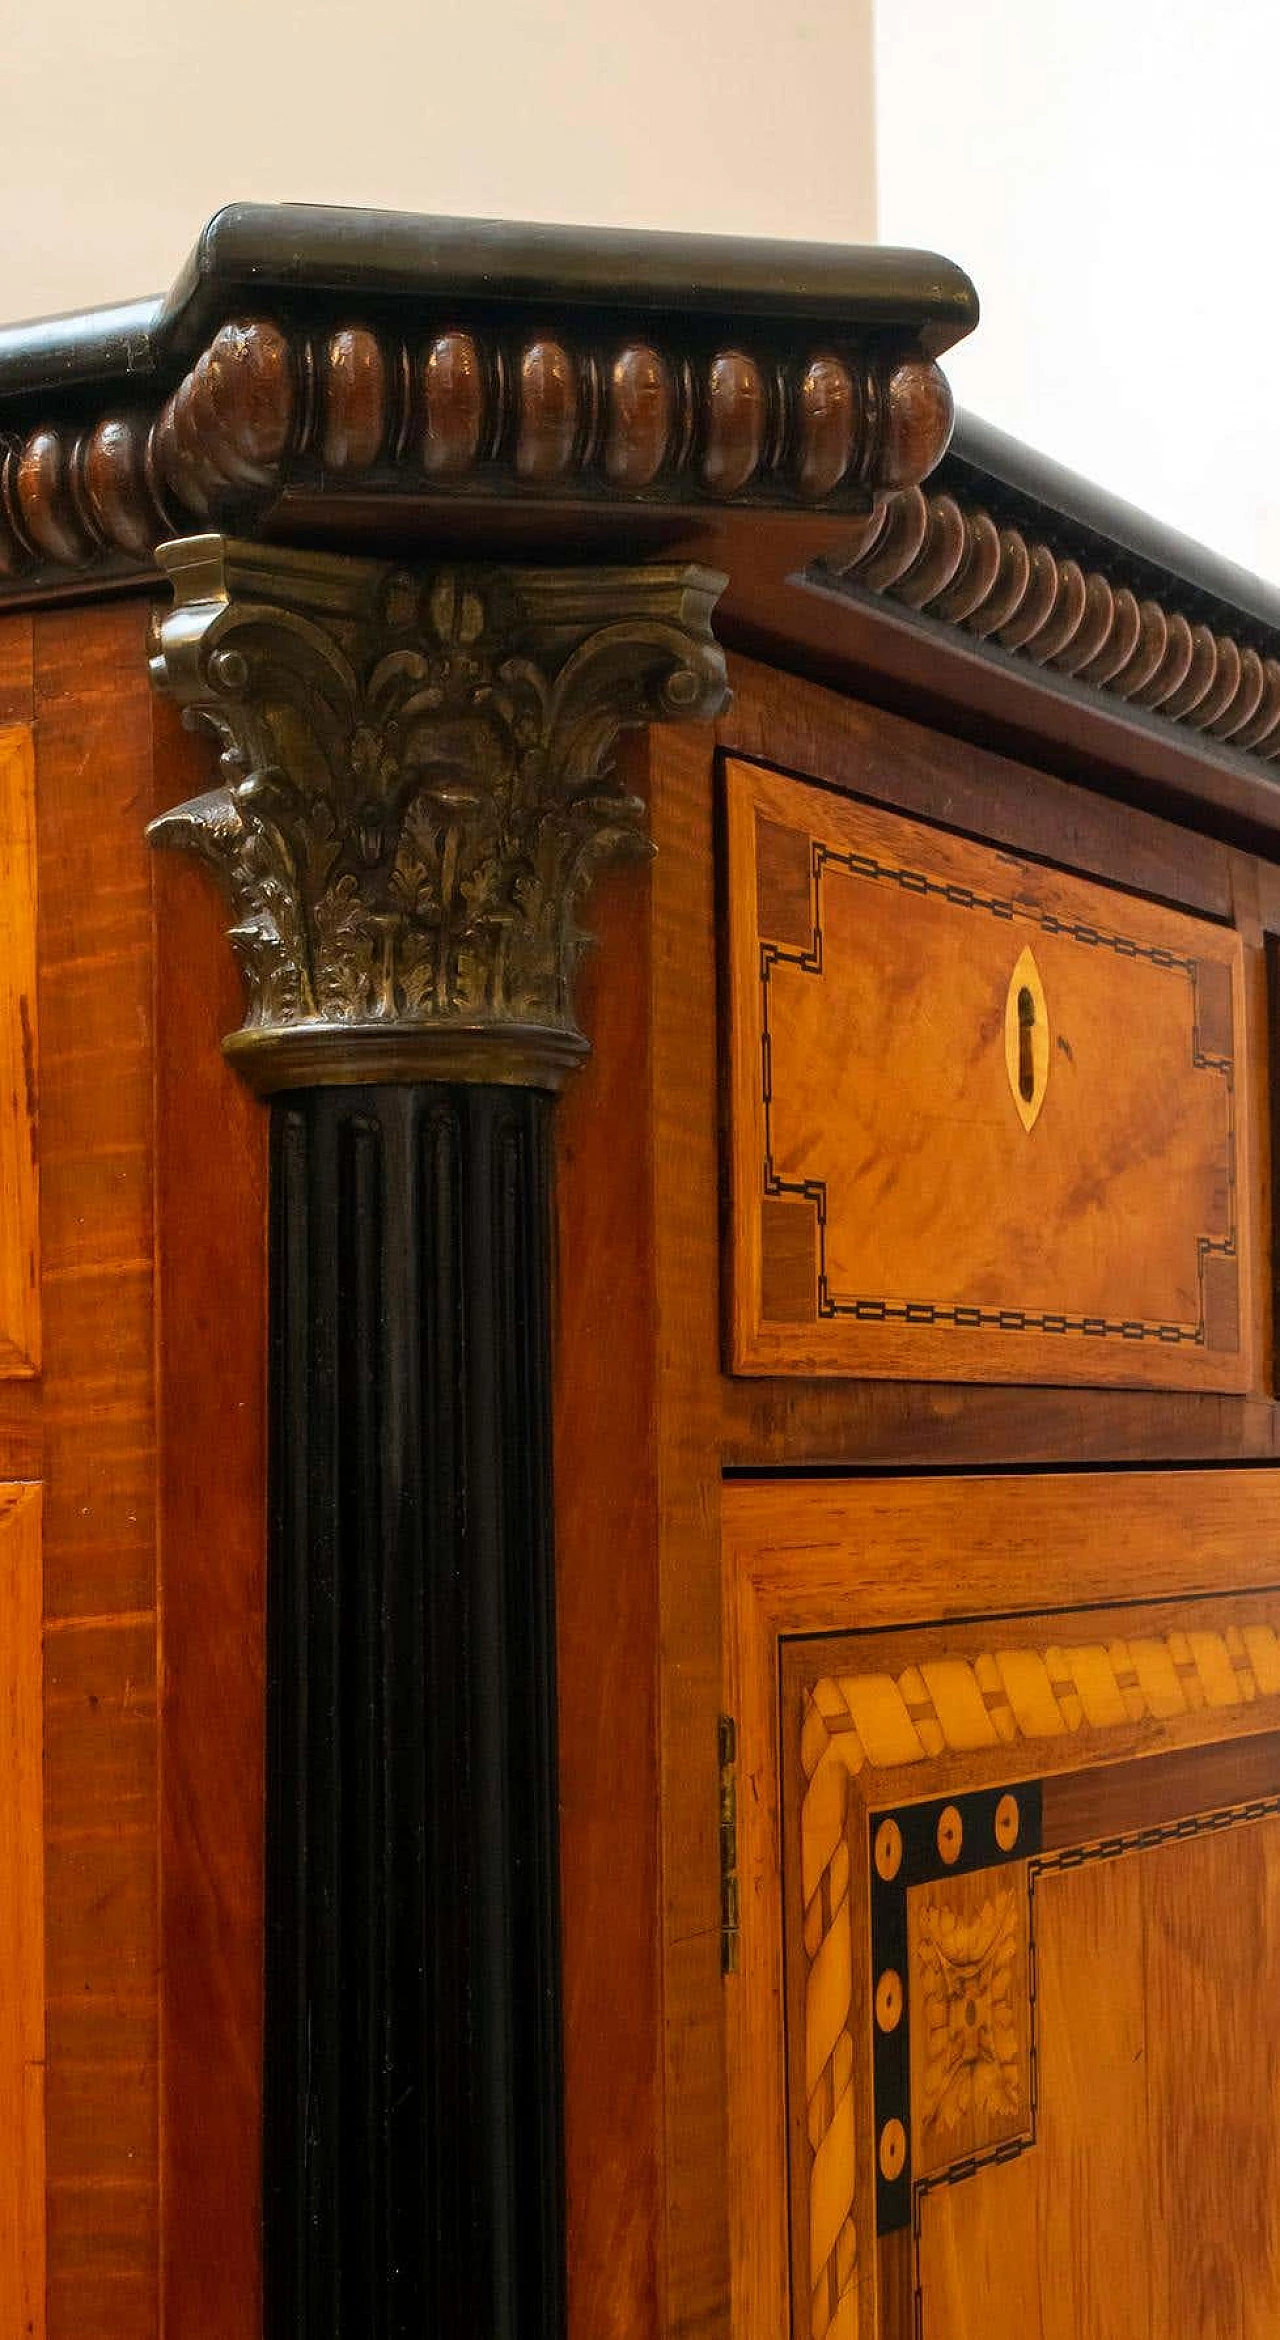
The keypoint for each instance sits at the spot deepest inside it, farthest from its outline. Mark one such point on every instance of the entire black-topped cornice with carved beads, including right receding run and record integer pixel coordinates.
(479, 390)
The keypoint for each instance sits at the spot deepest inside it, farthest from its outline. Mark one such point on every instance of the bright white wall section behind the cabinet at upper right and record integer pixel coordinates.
(1110, 177)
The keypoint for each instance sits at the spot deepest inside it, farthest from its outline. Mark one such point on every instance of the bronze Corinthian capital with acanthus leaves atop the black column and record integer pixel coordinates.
(418, 787)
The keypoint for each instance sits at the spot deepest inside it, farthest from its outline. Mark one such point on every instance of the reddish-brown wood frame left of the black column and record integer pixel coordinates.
(128, 1920)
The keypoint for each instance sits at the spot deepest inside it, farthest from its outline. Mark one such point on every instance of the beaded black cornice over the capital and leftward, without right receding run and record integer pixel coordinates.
(362, 376)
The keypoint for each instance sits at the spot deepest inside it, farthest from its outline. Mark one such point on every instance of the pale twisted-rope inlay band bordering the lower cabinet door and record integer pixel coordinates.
(958, 1705)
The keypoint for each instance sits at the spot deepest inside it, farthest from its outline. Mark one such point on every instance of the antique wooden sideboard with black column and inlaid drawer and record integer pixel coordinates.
(640, 1585)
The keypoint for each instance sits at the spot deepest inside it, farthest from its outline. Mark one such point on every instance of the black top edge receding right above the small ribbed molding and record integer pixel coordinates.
(989, 464)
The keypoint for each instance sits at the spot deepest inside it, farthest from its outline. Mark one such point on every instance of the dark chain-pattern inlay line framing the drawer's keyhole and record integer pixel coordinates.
(958, 1316)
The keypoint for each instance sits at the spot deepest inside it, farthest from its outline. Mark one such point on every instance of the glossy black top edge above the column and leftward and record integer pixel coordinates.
(289, 254)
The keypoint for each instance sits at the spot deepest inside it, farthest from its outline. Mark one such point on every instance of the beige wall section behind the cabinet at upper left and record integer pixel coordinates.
(128, 128)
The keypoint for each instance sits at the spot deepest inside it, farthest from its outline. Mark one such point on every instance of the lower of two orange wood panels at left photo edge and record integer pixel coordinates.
(22, 1929)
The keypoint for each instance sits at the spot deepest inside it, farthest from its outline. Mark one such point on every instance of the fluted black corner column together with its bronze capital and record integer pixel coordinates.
(415, 792)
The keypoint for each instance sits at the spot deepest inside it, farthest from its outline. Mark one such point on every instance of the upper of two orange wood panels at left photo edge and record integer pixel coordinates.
(20, 1192)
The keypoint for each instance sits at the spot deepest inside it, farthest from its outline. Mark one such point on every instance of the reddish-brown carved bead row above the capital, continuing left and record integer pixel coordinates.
(469, 411)
